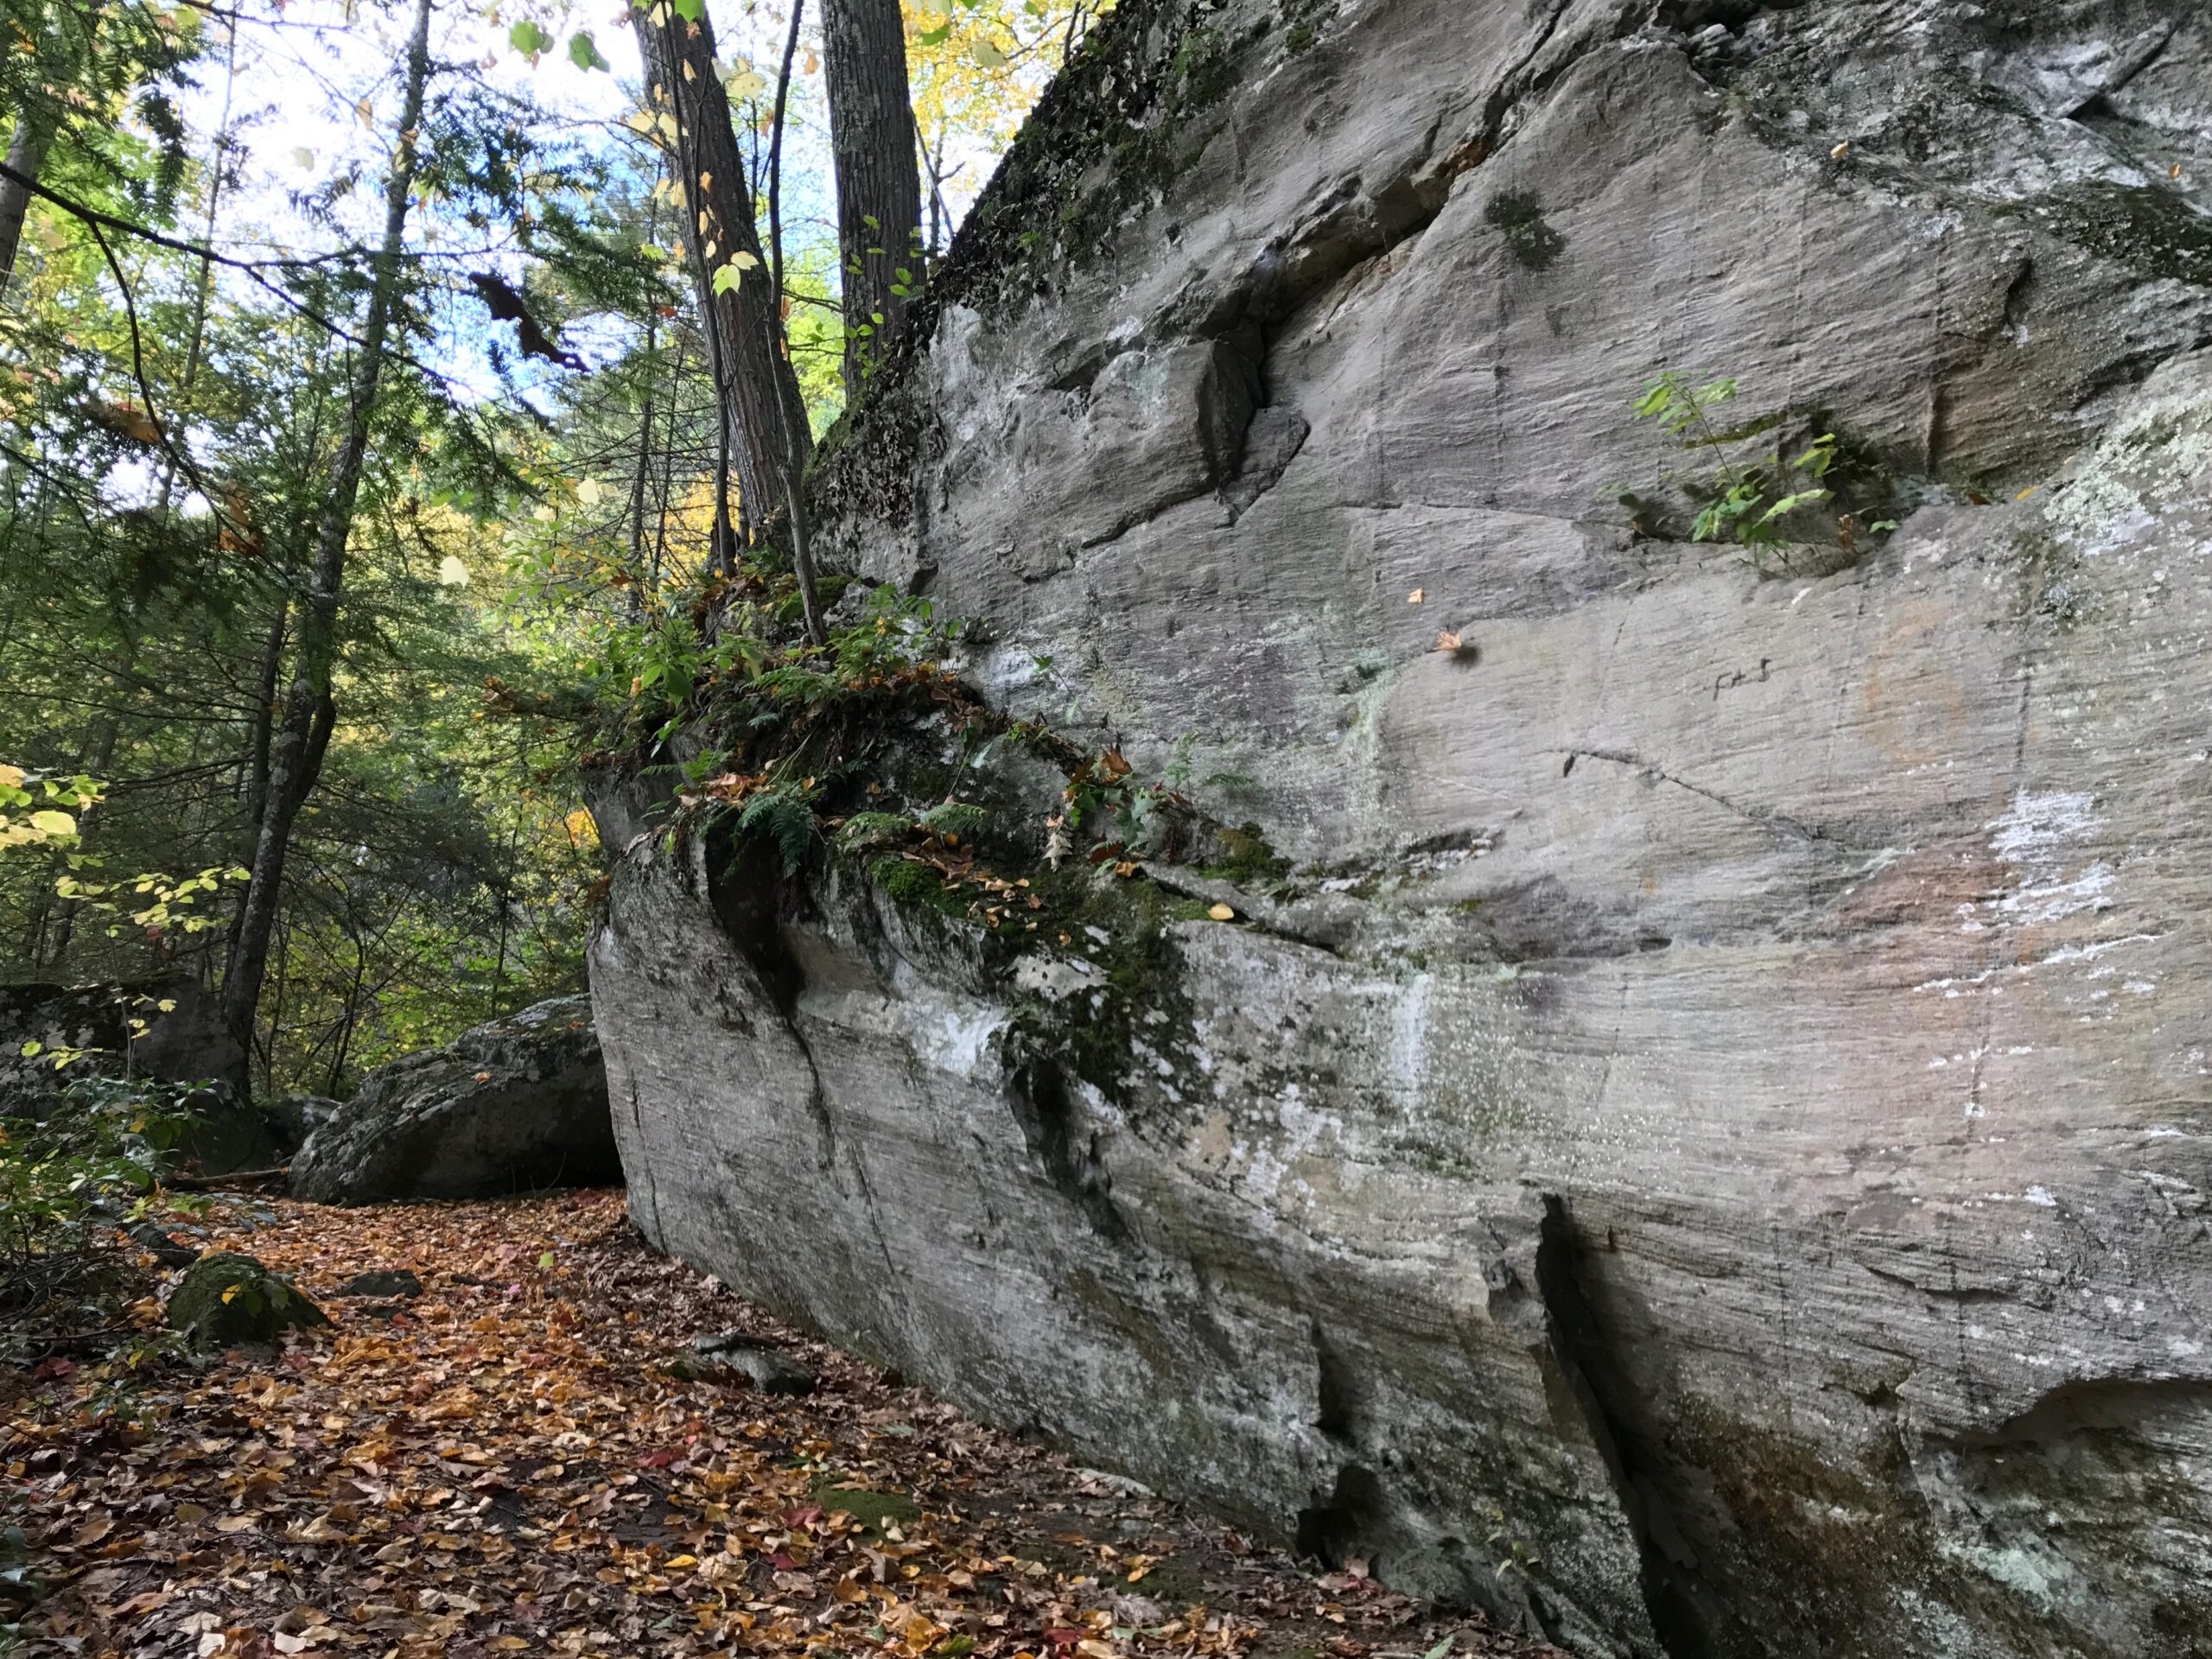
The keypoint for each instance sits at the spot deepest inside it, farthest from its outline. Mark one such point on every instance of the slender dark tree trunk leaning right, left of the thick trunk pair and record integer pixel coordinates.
(311, 711)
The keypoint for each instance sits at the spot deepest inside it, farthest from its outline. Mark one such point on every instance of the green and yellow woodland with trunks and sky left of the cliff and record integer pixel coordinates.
(388, 390)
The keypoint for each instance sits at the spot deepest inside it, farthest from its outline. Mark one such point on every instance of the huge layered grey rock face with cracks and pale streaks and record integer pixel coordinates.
(1709, 1156)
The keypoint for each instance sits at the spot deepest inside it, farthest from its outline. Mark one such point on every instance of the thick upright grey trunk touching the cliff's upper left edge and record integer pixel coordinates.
(879, 189)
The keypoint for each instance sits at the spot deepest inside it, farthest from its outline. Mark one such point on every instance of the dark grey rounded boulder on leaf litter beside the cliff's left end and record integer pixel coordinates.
(510, 1107)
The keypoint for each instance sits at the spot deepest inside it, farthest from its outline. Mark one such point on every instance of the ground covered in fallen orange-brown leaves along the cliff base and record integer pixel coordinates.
(501, 1465)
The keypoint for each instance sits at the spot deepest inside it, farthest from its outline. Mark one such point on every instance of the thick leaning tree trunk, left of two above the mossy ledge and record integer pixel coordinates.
(764, 410)
